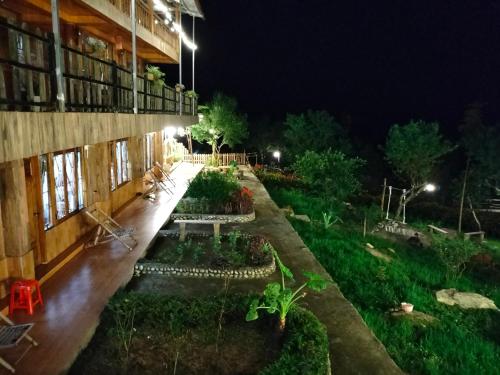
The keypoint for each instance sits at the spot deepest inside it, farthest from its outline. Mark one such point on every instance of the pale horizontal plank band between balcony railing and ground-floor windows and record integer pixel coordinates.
(26, 134)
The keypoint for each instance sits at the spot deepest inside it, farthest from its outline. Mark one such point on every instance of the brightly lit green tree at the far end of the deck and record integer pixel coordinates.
(221, 125)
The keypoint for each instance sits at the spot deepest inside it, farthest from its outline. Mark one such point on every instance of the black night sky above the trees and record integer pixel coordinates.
(378, 61)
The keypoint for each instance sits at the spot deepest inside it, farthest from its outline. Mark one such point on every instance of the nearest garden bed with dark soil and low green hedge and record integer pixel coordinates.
(149, 334)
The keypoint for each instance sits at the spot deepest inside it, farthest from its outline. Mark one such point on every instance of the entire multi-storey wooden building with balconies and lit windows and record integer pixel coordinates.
(54, 164)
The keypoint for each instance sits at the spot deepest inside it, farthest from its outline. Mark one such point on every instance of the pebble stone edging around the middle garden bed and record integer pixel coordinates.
(241, 273)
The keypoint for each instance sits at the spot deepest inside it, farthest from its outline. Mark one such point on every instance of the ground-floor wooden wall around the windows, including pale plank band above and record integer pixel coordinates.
(42, 133)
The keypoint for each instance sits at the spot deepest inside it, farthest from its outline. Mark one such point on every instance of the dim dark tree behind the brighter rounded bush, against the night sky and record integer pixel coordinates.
(314, 131)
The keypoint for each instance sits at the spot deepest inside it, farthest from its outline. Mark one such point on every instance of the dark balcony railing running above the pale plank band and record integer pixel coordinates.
(28, 80)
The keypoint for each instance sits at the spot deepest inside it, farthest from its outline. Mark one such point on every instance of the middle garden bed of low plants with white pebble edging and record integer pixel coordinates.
(234, 256)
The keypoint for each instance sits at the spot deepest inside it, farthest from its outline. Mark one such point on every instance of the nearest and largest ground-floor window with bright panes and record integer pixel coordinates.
(62, 185)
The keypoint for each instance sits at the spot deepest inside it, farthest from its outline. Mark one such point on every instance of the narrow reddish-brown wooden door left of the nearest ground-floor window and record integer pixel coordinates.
(35, 209)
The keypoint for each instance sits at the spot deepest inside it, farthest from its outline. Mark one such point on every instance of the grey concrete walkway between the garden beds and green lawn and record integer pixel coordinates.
(353, 347)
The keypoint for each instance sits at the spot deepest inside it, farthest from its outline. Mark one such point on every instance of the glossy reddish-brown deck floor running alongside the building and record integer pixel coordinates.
(75, 296)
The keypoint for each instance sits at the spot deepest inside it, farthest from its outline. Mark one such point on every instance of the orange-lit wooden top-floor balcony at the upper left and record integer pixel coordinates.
(108, 20)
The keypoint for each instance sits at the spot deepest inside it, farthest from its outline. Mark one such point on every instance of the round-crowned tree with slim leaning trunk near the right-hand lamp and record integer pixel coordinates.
(414, 150)
